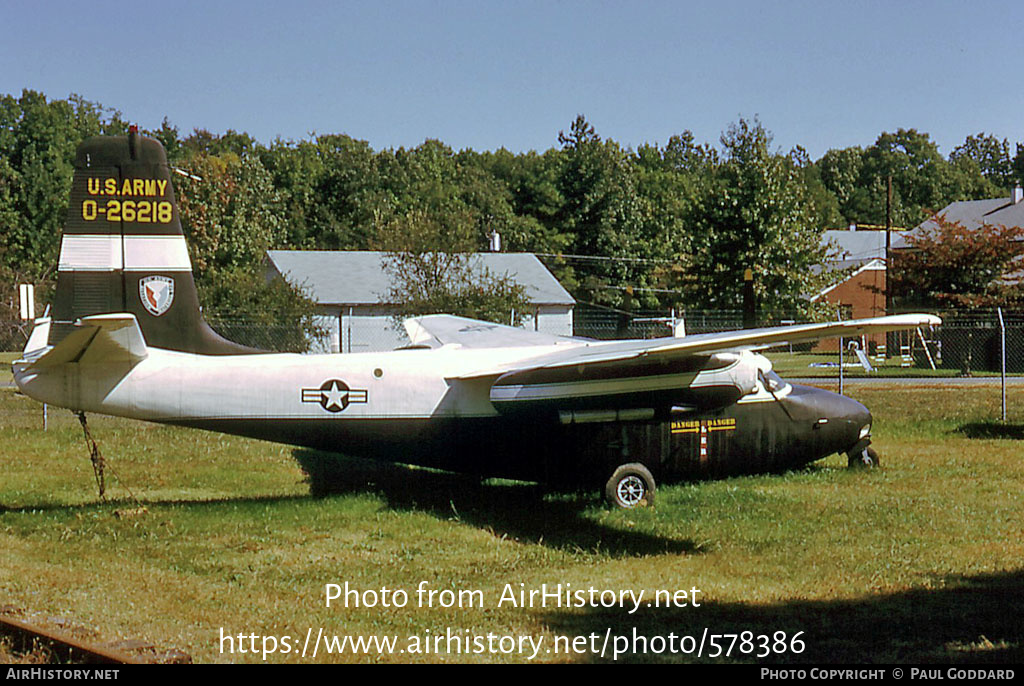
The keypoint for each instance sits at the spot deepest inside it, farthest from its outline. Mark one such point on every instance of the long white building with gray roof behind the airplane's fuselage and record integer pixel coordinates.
(352, 290)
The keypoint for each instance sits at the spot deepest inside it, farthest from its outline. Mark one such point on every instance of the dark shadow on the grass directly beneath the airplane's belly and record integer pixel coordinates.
(515, 509)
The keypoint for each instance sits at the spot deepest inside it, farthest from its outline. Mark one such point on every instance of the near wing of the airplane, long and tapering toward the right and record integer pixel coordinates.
(671, 350)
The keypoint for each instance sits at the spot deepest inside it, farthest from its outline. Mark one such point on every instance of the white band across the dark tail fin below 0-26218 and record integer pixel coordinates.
(106, 252)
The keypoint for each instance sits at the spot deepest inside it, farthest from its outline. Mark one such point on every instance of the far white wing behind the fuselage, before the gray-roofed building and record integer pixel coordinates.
(438, 330)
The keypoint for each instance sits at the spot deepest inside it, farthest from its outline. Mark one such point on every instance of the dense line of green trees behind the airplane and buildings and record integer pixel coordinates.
(662, 226)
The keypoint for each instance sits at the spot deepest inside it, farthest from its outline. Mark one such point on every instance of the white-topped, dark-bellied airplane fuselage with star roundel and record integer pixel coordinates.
(411, 407)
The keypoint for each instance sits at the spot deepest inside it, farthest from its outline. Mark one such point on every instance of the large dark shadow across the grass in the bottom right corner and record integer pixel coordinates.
(974, 620)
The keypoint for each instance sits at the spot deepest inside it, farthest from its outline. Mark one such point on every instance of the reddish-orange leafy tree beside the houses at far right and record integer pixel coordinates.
(951, 266)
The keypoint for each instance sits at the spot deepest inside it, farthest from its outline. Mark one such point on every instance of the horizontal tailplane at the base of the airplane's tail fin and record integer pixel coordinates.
(100, 338)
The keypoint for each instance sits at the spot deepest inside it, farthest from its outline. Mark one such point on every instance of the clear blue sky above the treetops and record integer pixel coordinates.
(490, 75)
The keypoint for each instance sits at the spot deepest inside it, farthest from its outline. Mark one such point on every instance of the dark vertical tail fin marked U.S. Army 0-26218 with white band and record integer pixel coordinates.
(123, 250)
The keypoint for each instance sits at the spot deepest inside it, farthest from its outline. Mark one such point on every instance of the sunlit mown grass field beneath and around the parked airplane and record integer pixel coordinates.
(920, 562)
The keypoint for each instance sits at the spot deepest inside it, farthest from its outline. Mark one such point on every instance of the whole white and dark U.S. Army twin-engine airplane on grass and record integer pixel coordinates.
(126, 338)
